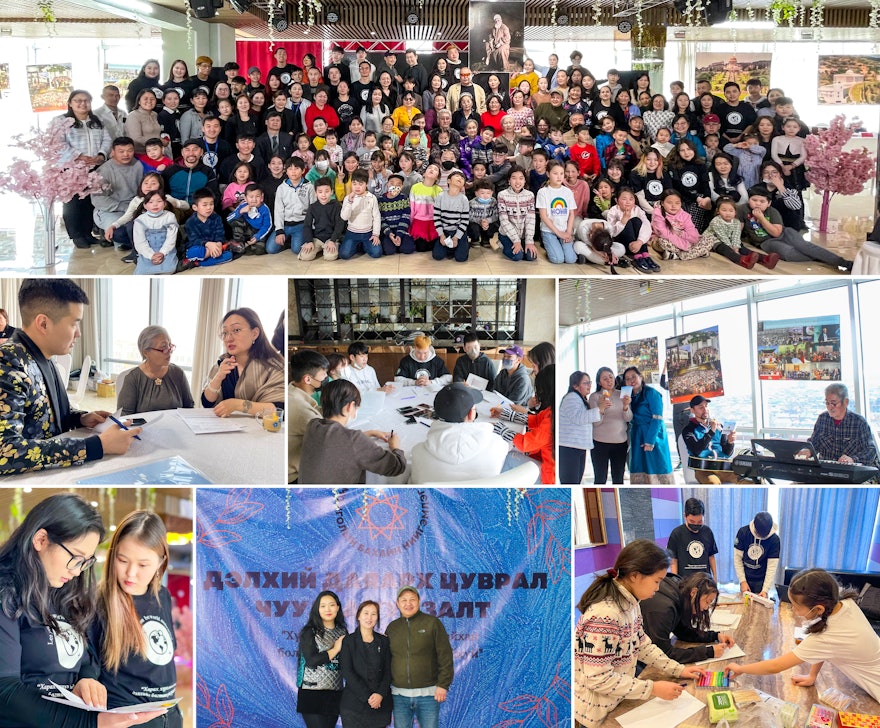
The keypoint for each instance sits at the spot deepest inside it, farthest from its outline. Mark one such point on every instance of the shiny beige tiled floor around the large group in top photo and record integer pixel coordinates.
(22, 250)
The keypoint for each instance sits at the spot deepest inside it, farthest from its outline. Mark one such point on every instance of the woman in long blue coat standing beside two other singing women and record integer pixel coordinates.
(649, 460)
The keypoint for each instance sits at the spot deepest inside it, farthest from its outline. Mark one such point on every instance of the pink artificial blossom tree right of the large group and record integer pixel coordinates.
(833, 171)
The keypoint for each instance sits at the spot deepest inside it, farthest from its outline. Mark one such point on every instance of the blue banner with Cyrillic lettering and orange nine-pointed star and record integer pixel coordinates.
(493, 565)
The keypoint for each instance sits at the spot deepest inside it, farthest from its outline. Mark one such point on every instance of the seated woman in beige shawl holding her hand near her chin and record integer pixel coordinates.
(249, 377)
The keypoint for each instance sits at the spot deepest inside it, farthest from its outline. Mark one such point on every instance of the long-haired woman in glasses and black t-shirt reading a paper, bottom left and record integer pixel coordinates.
(47, 603)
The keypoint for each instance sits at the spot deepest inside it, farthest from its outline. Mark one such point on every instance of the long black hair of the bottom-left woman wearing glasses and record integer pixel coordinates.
(24, 588)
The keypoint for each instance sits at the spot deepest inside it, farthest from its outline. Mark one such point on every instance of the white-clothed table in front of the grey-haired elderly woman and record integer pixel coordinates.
(252, 456)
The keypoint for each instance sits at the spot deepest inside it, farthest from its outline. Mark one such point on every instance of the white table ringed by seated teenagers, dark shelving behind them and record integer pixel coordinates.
(388, 418)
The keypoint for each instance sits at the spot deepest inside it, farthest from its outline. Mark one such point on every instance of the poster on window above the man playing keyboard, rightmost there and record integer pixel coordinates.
(805, 349)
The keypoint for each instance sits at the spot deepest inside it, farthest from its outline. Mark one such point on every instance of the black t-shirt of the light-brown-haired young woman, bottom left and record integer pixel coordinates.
(142, 680)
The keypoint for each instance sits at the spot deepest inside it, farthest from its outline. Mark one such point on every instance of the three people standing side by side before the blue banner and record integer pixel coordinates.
(366, 676)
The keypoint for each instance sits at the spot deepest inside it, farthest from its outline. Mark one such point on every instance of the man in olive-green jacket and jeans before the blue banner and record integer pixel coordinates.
(421, 663)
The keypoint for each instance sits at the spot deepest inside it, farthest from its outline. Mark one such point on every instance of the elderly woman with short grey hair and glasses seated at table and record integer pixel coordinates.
(155, 384)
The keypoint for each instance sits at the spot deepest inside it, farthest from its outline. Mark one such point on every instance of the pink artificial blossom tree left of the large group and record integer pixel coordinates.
(49, 174)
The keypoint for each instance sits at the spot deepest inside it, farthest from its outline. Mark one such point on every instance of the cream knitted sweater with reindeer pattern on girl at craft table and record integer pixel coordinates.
(608, 643)
